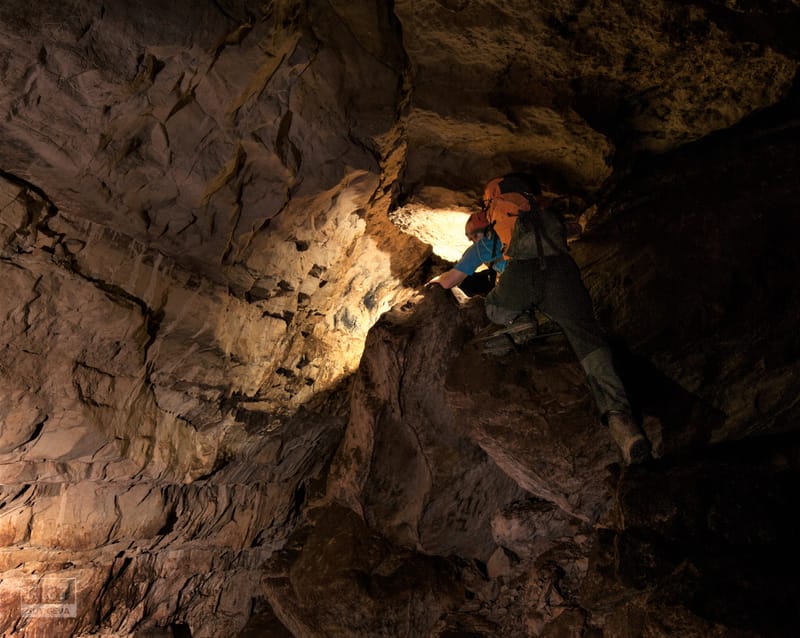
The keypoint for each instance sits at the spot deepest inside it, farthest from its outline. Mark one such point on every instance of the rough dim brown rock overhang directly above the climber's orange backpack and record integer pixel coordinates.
(564, 86)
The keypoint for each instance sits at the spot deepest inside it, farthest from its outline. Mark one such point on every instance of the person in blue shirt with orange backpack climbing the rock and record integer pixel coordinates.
(516, 234)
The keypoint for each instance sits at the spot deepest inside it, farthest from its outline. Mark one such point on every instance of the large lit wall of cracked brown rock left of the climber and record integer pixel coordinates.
(190, 198)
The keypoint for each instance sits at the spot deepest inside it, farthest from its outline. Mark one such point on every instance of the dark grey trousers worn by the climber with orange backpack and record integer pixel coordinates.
(558, 292)
